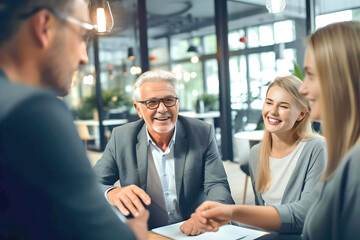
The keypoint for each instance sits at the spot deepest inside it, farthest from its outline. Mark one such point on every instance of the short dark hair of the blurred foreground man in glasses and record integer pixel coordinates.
(10, 10)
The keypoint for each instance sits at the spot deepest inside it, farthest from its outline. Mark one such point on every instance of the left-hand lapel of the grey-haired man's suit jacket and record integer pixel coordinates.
(141, 157)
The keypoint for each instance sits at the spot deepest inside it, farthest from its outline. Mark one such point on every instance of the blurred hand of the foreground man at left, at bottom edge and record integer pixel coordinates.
(139, 225)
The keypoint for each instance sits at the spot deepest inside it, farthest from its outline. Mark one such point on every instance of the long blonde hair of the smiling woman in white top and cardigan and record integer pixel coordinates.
(301, 129)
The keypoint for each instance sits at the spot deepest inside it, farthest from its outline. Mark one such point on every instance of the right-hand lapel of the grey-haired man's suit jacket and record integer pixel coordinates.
(180, 151)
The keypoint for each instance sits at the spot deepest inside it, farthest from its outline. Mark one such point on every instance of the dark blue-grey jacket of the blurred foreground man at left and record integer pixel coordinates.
(47, 187)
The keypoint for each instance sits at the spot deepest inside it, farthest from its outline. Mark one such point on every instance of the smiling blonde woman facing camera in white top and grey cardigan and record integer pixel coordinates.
(285, 168)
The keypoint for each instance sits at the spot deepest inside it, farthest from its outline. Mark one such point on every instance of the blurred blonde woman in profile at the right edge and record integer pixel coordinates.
(332, 86)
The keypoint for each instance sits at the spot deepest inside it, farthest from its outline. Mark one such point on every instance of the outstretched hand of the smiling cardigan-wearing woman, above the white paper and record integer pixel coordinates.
(209, 216)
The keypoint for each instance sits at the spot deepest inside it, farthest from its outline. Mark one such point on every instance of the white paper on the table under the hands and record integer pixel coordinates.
(226, 232)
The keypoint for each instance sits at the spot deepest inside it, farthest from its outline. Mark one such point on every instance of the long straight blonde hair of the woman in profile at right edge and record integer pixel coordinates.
(336, 49)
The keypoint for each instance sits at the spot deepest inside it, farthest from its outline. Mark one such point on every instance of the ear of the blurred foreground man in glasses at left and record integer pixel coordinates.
(43, 27)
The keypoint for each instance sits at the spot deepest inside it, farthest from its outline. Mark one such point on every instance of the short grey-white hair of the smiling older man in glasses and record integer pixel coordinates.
(154, 76)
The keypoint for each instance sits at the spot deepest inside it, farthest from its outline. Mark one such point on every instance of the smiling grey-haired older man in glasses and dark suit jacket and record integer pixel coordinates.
(169, 163)
